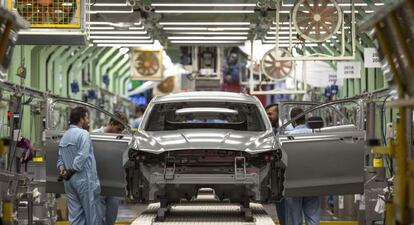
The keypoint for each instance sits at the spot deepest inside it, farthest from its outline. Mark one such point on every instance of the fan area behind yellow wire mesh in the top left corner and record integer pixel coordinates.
(47, 11)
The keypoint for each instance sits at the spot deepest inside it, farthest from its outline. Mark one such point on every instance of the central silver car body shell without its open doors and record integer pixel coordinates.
(208, 147)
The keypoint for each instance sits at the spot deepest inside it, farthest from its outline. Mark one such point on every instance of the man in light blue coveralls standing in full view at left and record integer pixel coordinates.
(76, 163)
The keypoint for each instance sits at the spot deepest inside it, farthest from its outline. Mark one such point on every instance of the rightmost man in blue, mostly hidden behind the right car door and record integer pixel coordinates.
(308, 206)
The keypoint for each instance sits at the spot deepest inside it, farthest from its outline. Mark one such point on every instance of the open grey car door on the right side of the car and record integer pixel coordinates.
(324, 163)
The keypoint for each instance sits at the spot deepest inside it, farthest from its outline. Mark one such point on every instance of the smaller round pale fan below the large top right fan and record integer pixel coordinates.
(276, 69)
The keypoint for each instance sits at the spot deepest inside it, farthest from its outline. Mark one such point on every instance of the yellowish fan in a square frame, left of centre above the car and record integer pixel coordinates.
(146, 64)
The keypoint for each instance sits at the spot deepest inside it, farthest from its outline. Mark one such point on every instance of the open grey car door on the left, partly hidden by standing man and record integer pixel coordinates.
(108, 150)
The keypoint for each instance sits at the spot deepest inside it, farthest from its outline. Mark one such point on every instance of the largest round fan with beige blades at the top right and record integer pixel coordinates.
(316, 20)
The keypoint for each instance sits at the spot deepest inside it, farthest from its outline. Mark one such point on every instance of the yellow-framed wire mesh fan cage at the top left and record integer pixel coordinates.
(70, 20)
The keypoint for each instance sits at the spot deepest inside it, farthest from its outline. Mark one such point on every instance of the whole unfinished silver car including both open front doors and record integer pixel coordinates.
(239, 165)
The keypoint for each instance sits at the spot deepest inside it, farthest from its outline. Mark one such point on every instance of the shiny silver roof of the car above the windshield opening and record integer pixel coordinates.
(207, 96)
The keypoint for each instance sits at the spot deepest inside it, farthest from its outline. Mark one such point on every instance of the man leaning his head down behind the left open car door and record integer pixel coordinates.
(111, 203)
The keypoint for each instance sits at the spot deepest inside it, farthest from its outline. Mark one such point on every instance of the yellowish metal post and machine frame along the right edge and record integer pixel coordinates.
(403, 198)
